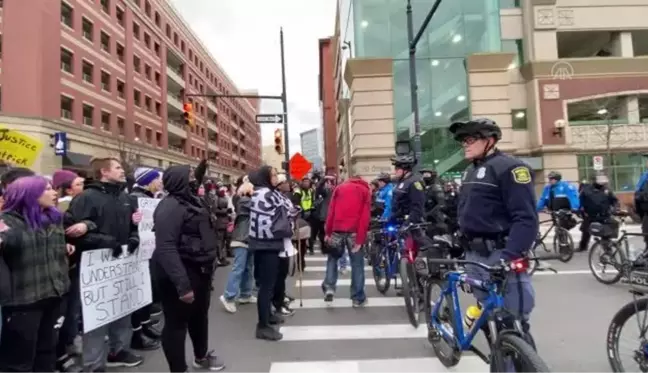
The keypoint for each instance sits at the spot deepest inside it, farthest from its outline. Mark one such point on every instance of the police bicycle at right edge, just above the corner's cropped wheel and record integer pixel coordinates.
(613, 255)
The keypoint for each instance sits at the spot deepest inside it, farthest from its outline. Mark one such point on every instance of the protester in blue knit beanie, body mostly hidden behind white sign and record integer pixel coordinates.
(146, 334)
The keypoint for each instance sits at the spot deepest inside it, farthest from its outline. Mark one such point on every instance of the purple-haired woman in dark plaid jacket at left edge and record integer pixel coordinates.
(32, 242)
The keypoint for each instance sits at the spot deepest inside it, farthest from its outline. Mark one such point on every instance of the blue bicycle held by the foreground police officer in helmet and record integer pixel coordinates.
(510, 346)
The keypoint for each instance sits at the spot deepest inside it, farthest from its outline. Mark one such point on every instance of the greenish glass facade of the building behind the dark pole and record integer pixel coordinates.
(459, 28)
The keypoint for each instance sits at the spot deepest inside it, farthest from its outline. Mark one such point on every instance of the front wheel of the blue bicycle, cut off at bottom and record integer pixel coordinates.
(517, 352)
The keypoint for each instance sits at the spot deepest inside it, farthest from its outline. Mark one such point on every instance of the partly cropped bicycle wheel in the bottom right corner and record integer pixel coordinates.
(634, 356)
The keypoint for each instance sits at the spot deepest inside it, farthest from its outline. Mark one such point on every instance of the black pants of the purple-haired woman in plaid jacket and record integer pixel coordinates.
(29, 336)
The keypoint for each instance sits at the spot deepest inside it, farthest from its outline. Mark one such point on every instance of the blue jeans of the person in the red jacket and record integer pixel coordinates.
(357, 271)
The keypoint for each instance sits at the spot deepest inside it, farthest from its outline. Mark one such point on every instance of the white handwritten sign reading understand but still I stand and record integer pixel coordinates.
(112, 288)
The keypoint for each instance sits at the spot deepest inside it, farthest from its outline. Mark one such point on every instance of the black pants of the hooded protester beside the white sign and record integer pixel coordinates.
(180, 317)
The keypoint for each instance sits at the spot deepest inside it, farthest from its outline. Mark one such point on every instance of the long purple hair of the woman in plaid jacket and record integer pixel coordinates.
(21, 197)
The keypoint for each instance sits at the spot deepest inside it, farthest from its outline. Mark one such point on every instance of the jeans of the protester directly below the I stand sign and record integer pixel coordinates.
(95, 350)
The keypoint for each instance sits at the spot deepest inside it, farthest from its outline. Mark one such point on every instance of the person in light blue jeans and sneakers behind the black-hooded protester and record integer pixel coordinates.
(239, 282)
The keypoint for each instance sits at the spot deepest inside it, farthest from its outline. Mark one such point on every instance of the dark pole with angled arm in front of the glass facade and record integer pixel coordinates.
(412, 42)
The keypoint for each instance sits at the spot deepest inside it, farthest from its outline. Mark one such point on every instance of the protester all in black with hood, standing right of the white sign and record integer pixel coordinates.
(183, 266)
